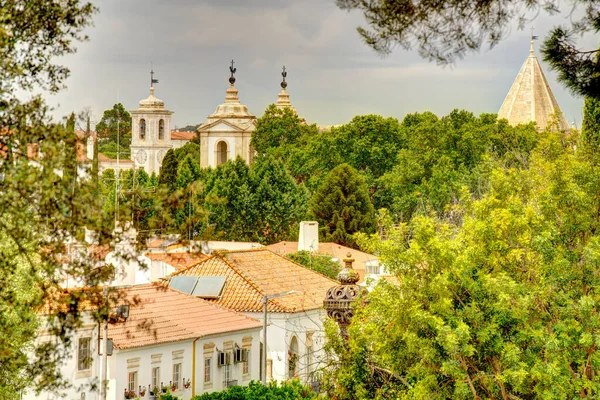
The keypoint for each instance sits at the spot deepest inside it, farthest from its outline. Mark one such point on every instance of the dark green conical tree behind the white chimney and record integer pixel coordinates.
(342, 206)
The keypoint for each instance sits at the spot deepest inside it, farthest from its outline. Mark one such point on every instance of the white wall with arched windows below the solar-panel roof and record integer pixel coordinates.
(282, 327)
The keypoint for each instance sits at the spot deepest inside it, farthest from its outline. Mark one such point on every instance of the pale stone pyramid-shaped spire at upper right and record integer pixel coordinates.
(530, 97)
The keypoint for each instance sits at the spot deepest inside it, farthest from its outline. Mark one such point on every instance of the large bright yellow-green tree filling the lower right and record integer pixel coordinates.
(497, 304)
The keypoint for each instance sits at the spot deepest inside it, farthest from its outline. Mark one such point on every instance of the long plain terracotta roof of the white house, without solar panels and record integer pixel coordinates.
(163, 315)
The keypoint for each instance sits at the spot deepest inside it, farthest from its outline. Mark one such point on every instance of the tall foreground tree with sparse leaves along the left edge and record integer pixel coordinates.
(38, 209)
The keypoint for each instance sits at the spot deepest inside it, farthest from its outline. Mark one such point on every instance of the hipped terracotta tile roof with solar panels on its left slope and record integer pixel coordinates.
(250, 274)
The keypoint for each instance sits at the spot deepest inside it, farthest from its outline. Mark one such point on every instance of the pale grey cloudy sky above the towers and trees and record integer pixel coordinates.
(332, 75)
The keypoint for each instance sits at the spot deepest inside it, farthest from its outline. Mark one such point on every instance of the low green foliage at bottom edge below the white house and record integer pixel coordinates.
(292, 390)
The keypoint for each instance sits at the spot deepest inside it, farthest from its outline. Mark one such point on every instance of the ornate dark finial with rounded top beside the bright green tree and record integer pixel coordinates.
(338, 300)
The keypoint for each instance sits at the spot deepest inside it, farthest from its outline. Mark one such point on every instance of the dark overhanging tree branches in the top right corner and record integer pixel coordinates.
(445, 31)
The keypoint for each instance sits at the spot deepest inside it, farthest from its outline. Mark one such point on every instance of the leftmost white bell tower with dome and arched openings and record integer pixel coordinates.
(150, 132)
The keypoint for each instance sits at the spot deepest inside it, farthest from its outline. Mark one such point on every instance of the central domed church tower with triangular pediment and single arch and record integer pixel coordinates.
(227, 132)
